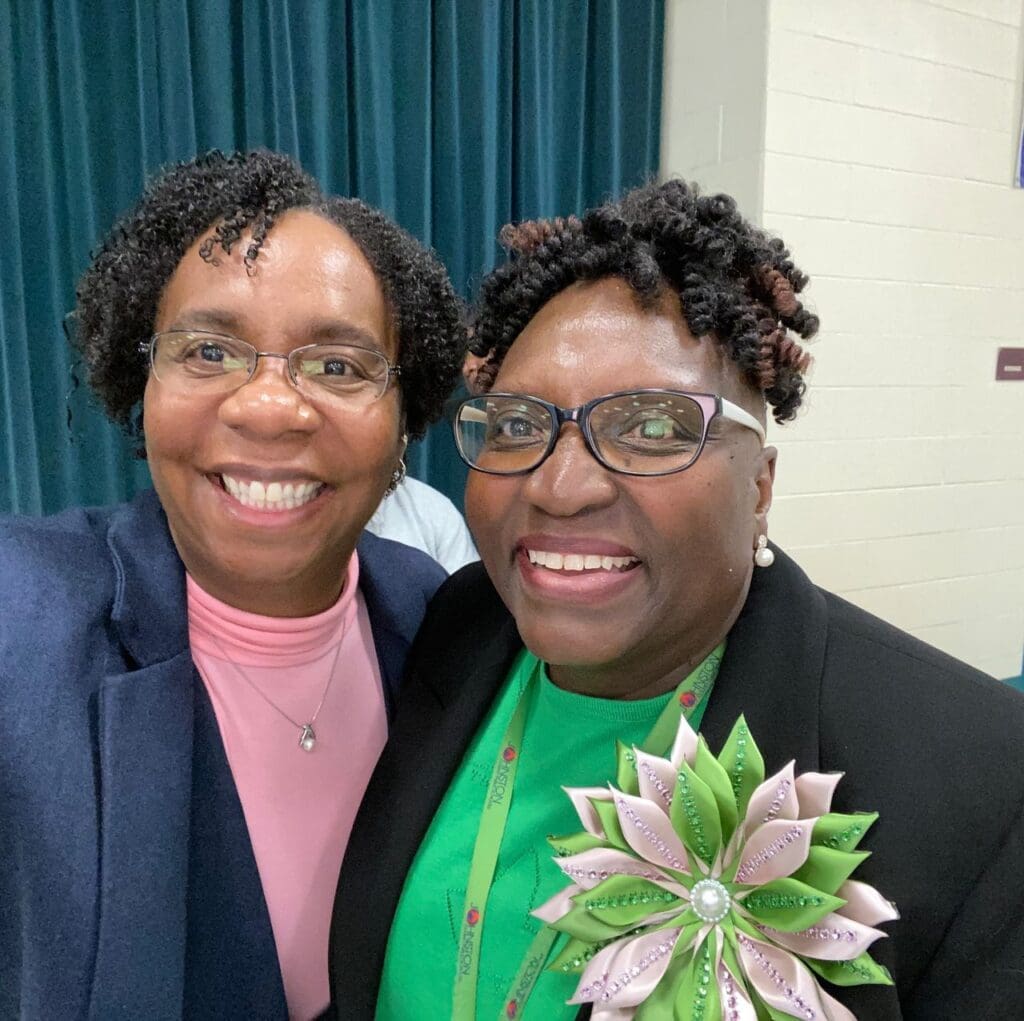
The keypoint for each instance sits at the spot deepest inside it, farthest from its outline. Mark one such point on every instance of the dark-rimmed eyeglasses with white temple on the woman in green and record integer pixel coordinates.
(633, 433)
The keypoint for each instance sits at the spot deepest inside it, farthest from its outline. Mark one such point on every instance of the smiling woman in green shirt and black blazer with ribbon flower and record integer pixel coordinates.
(619, 496)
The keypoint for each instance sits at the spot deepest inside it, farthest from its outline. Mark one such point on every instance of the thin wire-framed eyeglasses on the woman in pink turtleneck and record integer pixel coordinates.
(200, 361)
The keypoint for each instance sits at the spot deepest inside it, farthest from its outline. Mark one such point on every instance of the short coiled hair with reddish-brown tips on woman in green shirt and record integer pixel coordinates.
(736, 283)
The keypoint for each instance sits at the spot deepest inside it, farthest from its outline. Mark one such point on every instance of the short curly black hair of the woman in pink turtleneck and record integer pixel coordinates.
(242, 193)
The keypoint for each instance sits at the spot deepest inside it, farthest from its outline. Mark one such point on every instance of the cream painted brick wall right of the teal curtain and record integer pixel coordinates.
(887, 162)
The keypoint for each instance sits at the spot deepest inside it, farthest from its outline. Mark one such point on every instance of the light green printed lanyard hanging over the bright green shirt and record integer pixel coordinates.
(690, 700)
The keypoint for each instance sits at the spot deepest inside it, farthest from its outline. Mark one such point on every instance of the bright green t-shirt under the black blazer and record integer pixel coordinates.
(569, 741)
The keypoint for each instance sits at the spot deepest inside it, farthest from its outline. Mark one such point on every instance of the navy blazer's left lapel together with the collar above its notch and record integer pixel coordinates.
(145, 745)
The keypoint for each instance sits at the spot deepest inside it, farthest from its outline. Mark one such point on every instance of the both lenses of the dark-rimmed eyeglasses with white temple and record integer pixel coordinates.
(643, 434)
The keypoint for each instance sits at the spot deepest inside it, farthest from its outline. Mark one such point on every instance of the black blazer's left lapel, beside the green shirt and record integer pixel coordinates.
(428, 743)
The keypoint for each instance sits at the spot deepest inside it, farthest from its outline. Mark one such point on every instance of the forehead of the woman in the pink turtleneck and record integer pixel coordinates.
(309, 275)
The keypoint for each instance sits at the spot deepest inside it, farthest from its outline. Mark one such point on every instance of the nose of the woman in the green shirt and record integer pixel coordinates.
(572, 481)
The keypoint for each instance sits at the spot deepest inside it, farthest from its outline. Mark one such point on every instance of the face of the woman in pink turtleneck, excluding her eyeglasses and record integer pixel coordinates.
(311, 284)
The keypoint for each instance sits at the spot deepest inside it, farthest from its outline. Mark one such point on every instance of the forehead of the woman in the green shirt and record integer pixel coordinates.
(595, 338)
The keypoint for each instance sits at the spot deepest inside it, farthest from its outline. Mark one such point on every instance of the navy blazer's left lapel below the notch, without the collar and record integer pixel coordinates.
(146, 729)
